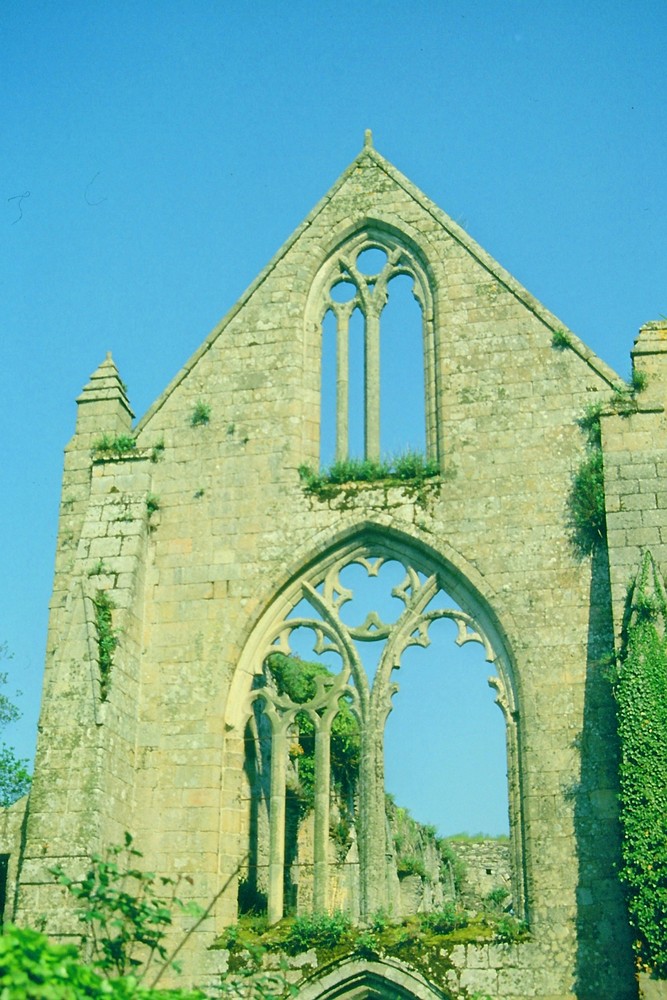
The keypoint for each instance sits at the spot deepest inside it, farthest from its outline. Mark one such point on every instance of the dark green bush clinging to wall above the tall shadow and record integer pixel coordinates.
(586, 500)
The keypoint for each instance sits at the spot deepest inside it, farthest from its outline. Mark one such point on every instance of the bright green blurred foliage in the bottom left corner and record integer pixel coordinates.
(34, 968)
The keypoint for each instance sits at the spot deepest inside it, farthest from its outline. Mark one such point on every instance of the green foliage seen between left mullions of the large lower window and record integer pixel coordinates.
(297, 679)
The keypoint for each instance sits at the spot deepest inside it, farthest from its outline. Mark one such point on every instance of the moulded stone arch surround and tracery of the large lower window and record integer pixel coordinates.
(319, 595)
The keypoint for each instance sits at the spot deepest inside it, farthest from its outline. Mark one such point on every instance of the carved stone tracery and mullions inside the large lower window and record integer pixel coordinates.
(346, 684)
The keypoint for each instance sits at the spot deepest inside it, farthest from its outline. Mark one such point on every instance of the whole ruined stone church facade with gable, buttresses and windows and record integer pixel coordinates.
(195, 544)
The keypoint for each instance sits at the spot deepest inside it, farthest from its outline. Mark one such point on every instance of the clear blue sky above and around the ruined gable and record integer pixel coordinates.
(170, 148)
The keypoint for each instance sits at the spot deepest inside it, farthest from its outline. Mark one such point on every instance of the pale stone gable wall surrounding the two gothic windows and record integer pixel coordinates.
(235, 524)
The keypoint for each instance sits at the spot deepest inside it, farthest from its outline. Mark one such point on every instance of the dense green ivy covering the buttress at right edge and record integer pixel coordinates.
(640, 689)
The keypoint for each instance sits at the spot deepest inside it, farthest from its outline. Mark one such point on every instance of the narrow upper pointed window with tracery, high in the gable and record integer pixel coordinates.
(378, 370)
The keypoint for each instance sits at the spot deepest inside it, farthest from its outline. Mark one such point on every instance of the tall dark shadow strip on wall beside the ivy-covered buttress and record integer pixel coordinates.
(605, 966)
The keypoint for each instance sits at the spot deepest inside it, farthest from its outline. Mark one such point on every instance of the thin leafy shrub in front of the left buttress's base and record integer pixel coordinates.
(124, 916)
